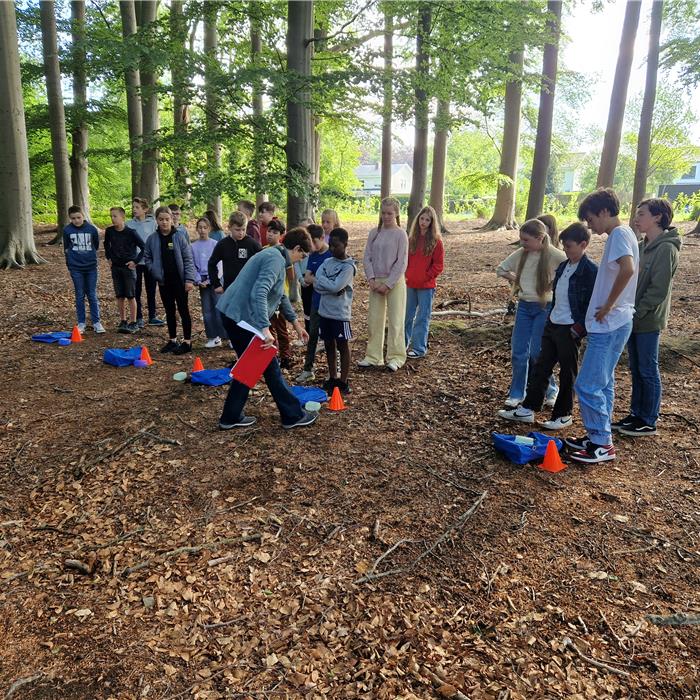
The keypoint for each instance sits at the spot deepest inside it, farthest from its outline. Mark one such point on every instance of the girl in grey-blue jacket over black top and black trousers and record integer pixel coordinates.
(168, 257)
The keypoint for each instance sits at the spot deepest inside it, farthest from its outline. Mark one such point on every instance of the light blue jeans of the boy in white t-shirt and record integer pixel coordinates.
(595, 385)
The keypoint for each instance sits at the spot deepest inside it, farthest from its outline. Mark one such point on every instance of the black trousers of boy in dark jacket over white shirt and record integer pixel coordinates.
(558, 346)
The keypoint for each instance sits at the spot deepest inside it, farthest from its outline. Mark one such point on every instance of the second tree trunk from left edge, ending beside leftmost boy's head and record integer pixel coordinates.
(57, 119)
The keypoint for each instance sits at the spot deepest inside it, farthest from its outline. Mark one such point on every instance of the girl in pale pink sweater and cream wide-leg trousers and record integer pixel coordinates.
(385, 261)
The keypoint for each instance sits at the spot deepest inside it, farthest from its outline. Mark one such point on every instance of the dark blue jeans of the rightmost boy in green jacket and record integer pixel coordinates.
(643, 350)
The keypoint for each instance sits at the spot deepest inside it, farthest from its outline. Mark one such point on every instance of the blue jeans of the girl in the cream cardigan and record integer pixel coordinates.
(530, 318)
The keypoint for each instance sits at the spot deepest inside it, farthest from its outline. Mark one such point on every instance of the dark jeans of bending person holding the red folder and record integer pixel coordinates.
(288, 404)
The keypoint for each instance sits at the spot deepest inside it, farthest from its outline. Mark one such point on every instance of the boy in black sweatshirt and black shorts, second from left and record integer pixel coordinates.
(121, 246)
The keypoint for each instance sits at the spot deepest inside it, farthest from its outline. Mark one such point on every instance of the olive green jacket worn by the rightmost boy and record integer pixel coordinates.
(658, 262)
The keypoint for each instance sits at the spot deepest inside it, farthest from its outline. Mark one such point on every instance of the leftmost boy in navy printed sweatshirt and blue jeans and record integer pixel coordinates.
(80, 243)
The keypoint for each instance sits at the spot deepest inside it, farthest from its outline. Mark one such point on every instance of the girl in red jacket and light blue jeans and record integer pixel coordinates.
(426, 258)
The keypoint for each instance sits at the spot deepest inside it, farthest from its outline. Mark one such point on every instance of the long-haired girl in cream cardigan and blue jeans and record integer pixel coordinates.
(531, 269)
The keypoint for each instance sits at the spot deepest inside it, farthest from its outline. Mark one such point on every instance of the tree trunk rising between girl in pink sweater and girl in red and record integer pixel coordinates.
(421, 112)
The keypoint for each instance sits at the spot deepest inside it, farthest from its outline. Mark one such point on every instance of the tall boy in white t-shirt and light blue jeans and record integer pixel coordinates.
(608, 323)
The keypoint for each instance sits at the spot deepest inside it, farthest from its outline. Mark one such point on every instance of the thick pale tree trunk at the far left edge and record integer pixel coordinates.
(16, 234)
